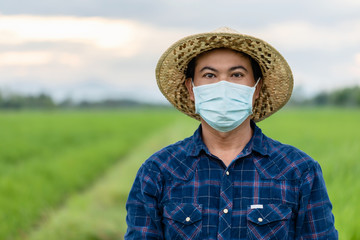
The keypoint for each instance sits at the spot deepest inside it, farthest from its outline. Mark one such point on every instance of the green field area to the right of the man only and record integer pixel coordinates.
(331, 137)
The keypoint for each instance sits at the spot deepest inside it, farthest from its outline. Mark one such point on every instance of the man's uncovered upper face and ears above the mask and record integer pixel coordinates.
(222, 65)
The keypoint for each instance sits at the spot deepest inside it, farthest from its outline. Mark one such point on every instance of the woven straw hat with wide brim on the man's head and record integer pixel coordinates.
(277, 77)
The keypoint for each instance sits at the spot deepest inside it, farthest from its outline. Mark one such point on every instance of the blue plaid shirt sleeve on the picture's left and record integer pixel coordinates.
(143, 217)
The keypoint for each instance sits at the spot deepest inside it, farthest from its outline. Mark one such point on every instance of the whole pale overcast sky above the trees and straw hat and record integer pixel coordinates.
(109, 48)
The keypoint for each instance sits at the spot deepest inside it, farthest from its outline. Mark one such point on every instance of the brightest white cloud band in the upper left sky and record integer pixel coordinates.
(100, 32)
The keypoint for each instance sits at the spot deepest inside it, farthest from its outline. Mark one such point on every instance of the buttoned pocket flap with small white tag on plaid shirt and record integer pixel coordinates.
(269, 213)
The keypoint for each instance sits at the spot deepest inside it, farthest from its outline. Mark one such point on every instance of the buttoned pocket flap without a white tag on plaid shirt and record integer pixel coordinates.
(186, 213)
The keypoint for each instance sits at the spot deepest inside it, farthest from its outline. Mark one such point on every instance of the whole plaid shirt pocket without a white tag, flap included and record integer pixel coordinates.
(182, 221)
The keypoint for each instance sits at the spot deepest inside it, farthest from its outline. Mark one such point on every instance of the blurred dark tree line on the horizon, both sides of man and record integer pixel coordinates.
(346, 97)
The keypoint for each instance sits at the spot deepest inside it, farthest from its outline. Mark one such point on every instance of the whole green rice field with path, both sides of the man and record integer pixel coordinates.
(66, 174)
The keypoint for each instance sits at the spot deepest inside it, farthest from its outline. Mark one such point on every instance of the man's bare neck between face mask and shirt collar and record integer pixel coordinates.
(226, 145)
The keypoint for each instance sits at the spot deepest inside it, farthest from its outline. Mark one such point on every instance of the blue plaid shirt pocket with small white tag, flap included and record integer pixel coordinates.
(270, 222)
